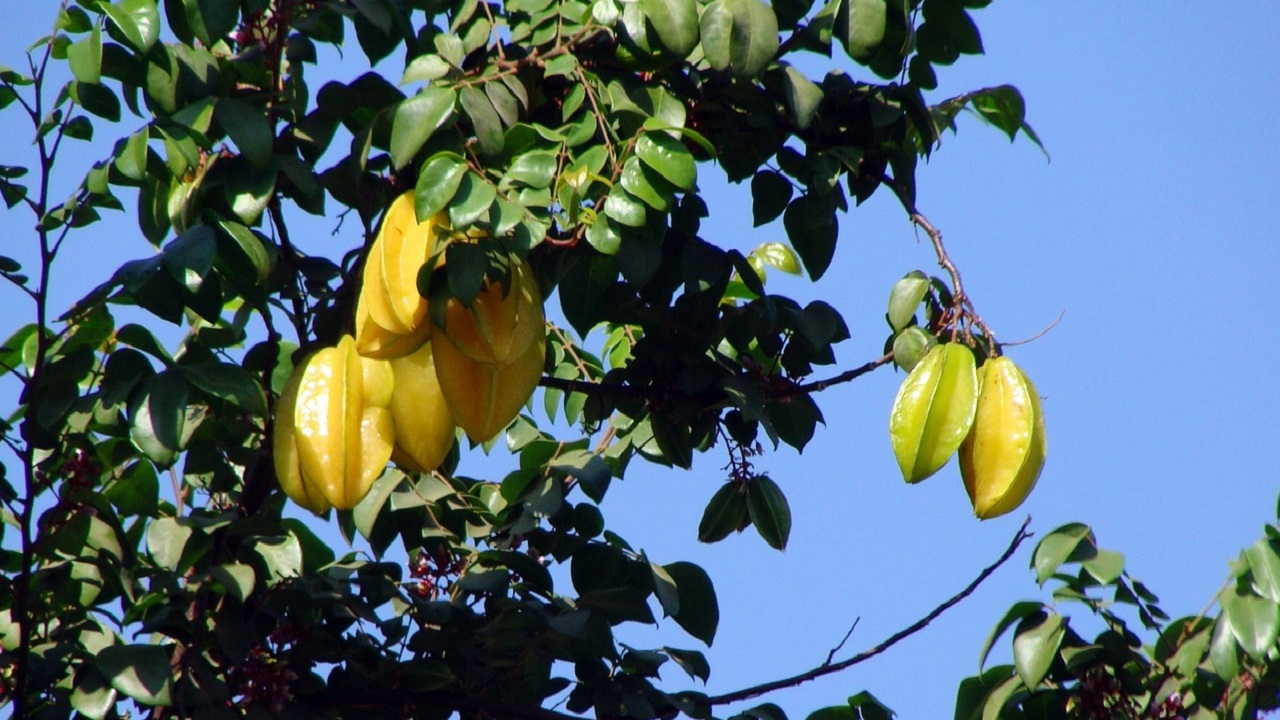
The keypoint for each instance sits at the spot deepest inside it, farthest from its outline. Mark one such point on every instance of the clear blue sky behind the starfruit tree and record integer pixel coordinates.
(1154, 230)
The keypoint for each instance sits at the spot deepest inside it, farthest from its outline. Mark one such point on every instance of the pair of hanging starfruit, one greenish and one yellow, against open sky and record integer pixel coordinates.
(990, 417)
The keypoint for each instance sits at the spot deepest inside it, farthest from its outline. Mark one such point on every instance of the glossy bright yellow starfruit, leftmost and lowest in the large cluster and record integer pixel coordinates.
(333, 429)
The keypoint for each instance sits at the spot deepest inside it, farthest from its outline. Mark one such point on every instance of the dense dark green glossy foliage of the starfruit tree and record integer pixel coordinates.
(150, 563)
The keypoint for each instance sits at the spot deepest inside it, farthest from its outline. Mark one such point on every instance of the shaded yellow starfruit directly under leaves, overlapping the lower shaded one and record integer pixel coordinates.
(502, 322)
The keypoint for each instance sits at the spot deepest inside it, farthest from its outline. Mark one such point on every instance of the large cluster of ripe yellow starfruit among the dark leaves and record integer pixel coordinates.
(399, 389)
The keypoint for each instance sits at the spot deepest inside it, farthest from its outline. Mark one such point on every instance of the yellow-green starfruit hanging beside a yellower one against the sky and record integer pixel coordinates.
(934, 411)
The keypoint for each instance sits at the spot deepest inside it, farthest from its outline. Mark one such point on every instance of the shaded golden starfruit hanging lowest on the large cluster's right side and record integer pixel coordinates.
(486, 398)
